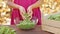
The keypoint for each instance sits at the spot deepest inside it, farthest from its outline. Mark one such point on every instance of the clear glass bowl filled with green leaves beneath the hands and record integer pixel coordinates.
(29, 25)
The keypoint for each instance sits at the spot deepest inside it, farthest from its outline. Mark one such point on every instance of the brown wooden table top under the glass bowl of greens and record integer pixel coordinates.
(37, 30)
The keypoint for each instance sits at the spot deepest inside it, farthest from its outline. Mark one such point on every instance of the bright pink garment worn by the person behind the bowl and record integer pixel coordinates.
(26, 4)
